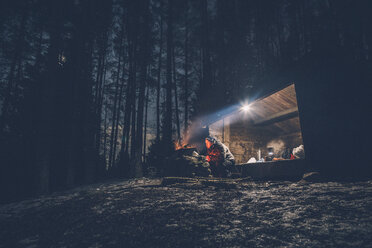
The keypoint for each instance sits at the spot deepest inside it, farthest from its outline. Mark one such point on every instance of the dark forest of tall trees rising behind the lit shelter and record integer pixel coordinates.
(92, 90)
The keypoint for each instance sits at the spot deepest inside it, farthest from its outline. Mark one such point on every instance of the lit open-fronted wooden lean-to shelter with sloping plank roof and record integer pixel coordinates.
(268, 124)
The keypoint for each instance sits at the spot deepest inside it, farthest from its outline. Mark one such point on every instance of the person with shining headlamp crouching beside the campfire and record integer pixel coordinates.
(220, 158)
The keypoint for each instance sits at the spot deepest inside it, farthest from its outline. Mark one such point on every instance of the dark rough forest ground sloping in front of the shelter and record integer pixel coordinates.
(149, 213)
